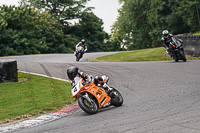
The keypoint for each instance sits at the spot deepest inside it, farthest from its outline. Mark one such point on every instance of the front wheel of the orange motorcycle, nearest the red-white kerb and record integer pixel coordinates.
(85, 105)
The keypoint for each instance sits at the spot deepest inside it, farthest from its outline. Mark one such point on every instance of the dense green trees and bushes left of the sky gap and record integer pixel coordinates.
(43, 27)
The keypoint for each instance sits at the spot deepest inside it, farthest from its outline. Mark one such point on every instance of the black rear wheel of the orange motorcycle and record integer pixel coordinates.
(116, 98)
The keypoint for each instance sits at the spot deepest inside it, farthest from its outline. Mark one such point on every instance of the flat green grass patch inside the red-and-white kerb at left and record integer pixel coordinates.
(33, 96)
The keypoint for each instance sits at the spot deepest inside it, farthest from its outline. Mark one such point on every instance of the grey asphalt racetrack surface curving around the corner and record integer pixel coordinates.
(159, 97)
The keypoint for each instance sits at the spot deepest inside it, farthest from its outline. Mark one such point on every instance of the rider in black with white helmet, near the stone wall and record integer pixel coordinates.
(167, 38)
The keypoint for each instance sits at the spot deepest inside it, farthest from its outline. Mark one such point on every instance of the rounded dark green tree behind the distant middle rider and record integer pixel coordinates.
(90, 27)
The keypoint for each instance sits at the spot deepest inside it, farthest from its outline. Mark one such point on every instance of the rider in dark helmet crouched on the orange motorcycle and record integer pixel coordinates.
(73, 72)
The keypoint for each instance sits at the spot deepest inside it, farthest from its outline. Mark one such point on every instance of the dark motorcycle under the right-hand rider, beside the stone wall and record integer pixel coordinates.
(177, 51)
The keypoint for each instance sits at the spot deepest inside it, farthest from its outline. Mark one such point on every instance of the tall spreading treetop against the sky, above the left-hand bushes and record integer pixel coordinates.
(63, 10)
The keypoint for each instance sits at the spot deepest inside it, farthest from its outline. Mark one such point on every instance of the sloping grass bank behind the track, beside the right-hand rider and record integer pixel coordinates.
(151, 54)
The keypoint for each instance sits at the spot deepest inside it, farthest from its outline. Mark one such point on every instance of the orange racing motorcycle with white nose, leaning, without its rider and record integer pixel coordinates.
(91, 97)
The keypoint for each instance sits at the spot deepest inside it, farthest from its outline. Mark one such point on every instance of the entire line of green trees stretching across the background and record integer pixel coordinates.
(44, 26)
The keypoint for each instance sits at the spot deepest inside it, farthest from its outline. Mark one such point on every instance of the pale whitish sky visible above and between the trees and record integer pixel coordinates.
(107, 10)
